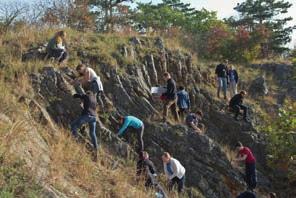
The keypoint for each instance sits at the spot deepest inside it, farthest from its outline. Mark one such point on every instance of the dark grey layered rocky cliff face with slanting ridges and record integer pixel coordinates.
(128, 88)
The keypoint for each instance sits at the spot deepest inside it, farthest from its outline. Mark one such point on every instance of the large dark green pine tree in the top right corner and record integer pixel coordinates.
(254, 13)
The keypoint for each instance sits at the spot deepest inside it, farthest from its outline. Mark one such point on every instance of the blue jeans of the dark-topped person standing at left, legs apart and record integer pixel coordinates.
(91, 120)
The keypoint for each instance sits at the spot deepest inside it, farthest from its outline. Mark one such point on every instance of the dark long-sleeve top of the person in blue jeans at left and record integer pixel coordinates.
(89, 103)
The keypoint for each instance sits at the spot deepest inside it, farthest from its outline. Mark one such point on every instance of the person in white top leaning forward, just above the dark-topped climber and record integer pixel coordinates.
(90, 80)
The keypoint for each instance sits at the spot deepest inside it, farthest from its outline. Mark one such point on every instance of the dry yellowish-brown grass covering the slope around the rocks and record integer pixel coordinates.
(69, 161)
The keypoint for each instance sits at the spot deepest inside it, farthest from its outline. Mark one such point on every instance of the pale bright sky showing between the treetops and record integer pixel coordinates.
(224, 9)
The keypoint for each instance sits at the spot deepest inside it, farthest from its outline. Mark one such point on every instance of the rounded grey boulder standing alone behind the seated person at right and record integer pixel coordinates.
(258, 87)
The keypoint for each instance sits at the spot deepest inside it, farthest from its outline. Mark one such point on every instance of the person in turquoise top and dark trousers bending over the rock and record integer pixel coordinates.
(137, 125)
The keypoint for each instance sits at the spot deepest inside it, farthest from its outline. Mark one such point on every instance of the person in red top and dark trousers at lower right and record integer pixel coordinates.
(245, 154)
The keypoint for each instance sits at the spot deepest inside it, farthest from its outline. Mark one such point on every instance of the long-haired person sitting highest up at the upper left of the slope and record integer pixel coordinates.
(56, 47)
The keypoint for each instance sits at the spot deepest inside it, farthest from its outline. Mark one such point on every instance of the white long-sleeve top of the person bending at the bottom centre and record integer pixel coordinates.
(174, 169)
